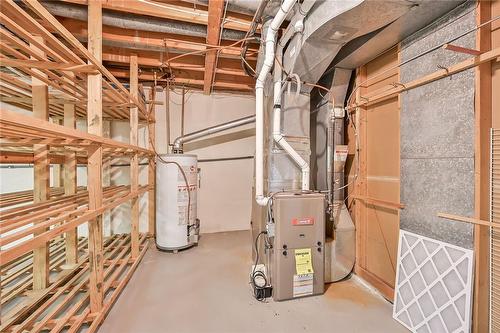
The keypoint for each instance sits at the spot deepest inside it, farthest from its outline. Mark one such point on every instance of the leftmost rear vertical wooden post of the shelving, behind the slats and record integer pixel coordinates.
(41, 166)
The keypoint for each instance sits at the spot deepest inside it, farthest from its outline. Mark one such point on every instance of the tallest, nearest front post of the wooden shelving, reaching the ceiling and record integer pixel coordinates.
(94, 168)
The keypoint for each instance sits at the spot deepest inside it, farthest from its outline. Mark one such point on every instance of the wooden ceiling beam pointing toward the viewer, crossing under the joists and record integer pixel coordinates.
(215, 9)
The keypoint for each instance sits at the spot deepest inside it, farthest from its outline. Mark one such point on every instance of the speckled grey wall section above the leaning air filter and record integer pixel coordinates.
(437, 133)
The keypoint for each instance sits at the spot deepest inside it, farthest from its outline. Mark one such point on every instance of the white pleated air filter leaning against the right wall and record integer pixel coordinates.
(433, 285)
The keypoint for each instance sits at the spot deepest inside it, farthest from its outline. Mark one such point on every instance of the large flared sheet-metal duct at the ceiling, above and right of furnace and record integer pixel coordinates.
(329, 26)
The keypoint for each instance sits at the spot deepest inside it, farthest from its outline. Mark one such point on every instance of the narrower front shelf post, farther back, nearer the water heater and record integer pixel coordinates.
(134, 162)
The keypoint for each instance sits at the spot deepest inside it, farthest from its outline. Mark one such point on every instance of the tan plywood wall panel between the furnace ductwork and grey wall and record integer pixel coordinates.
(376, 257)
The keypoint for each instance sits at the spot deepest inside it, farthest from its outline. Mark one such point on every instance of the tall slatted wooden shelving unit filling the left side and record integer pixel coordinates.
(51, 279)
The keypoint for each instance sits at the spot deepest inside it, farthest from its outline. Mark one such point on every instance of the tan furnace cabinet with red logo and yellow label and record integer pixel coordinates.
(297, 256)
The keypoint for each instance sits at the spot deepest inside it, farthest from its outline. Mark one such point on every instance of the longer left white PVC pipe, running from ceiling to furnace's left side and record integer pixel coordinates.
(285, 8)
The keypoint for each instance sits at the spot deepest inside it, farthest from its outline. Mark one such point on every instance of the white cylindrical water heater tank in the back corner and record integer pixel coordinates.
(173, 229)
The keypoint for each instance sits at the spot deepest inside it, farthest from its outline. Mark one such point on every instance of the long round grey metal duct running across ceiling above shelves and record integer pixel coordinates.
(138, 22)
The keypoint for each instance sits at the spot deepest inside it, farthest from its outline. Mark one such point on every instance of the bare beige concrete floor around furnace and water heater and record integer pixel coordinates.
(205, 289)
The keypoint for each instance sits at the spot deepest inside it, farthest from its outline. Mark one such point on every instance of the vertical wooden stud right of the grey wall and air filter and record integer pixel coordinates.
(483, 123)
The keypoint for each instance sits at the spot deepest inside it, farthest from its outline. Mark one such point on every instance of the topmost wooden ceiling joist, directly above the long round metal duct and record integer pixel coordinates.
(172, 10)
